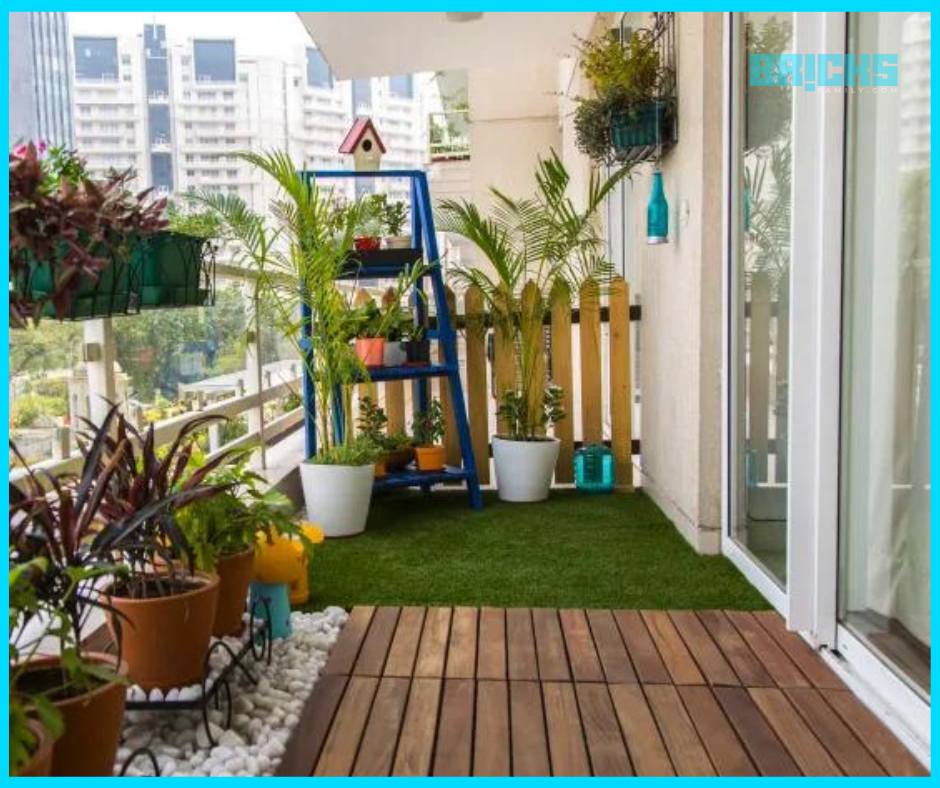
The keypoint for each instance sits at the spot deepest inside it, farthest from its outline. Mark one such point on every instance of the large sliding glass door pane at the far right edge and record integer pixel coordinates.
(884, 588)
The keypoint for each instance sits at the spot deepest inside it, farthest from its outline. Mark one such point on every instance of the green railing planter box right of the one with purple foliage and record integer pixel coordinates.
(178, 272)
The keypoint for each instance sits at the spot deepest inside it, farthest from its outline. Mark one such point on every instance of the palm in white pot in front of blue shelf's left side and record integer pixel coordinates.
(298, 260)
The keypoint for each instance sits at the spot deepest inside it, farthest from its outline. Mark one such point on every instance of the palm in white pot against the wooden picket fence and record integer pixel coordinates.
(534, 245)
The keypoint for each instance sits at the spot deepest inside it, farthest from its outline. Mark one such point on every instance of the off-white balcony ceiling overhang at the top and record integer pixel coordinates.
(366, 44)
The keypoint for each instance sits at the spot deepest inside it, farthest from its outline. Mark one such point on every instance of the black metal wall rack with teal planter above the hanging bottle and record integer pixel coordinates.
(644, 130)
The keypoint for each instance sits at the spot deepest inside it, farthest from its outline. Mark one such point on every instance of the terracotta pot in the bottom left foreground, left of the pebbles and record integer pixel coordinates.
(92, 722)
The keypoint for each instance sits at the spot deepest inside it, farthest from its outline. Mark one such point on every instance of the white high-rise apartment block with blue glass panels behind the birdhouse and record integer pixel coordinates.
(179, 111)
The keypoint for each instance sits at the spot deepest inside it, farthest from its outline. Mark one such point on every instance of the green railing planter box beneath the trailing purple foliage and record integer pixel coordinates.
(116, 291)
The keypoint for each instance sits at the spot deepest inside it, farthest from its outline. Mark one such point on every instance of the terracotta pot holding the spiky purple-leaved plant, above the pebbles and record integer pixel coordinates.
(165, 639)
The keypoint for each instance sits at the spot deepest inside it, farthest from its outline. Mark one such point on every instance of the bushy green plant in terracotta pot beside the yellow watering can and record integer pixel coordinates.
(223, 533)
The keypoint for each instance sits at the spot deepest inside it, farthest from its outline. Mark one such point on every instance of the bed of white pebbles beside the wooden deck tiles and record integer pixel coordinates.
(263, 715)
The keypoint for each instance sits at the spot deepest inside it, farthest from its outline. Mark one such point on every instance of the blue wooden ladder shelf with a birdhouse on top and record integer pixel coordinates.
(425, 244)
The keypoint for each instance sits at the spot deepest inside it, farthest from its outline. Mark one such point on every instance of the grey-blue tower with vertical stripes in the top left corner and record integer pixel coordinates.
(40, 90)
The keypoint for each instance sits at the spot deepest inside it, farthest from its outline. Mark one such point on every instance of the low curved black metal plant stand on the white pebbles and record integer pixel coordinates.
(215, 688)
